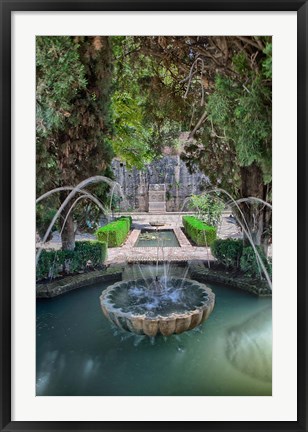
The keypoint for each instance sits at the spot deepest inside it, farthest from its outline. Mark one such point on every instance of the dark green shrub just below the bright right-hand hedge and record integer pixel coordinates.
(228, 252)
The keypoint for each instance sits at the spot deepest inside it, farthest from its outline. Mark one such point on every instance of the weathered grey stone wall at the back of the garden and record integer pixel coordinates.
(169, 170)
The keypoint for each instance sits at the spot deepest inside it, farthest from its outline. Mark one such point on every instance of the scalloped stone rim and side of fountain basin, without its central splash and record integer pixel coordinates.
(166, 324)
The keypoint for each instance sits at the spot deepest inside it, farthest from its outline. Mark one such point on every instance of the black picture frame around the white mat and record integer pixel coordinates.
(7, 7)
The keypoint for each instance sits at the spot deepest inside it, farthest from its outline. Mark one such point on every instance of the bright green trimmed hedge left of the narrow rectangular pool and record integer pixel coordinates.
(115, 233)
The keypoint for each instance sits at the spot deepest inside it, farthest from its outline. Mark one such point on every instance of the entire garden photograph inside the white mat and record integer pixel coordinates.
(154, 212)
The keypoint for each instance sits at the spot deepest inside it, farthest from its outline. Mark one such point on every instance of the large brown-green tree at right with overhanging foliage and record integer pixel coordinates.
(225, 88)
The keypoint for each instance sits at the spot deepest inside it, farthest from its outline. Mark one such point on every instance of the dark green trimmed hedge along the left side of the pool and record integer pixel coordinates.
(54, 263)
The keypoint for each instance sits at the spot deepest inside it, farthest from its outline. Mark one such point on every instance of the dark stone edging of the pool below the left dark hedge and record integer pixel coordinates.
(70, 283)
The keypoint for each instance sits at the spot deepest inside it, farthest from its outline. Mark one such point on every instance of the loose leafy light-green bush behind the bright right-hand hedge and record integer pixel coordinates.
(209, 208)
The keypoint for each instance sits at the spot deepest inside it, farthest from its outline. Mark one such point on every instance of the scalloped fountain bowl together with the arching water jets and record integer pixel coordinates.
(158, 305)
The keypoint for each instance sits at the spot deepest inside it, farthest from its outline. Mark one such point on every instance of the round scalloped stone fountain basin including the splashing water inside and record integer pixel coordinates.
(136, 307)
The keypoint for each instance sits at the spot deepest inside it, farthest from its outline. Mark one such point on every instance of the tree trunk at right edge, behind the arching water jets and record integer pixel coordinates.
(257, 216)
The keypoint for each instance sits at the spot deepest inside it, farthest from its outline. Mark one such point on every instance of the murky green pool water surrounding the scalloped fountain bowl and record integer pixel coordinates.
(79, 352)
